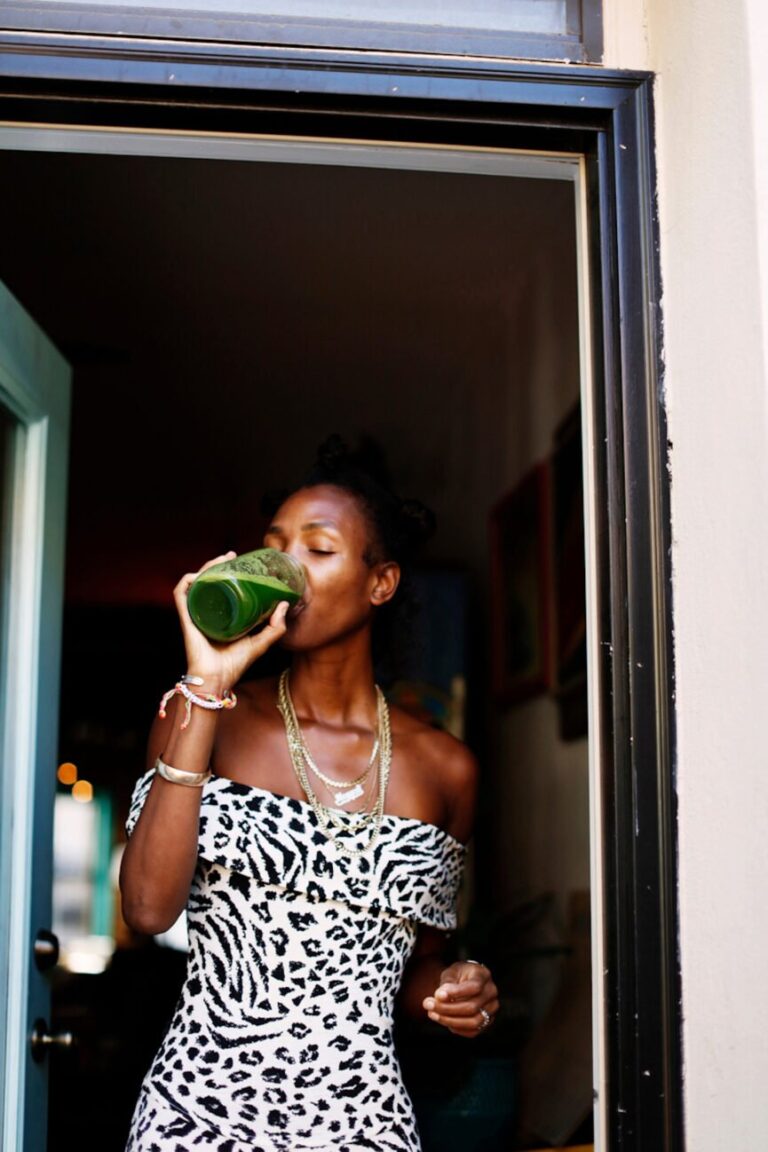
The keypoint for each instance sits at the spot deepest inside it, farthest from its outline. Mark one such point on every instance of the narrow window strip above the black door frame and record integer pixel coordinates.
(536, 29)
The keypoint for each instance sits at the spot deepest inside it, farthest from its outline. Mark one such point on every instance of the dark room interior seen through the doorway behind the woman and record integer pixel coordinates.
(223, 319)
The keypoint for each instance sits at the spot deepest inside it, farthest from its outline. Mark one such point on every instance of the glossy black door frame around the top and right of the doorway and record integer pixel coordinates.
(606, 117)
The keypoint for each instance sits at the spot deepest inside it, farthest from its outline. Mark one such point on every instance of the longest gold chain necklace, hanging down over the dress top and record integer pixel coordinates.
(328, 818)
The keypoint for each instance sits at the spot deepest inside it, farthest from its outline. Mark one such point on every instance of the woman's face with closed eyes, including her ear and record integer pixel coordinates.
(328, 532)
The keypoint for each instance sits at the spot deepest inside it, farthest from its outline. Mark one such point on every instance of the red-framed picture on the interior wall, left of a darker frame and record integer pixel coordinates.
(521, 589)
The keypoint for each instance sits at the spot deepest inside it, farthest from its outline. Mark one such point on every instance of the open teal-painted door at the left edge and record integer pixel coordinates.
(35, 390)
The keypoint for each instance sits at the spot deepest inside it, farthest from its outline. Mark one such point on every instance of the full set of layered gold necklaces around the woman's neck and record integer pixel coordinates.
(344, 792)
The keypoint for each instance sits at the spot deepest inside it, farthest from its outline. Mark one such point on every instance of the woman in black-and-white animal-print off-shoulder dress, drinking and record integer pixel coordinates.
(320, 863)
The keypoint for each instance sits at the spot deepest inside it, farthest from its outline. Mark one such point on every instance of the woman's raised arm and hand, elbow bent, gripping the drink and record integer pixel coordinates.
(161, 858)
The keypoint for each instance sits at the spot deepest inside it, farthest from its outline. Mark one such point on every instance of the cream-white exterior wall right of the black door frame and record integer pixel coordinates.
(712, 109)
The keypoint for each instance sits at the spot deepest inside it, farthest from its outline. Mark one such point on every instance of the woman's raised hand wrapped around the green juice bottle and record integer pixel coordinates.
(223, 665)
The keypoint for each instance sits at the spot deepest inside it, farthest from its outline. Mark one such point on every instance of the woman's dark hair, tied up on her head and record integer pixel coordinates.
(399, 529)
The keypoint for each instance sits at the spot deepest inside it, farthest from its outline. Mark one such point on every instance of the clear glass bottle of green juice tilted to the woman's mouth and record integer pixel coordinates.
(230, 600)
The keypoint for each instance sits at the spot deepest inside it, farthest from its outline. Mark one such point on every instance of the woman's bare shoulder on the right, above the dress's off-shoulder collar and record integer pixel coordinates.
(445, 766)
